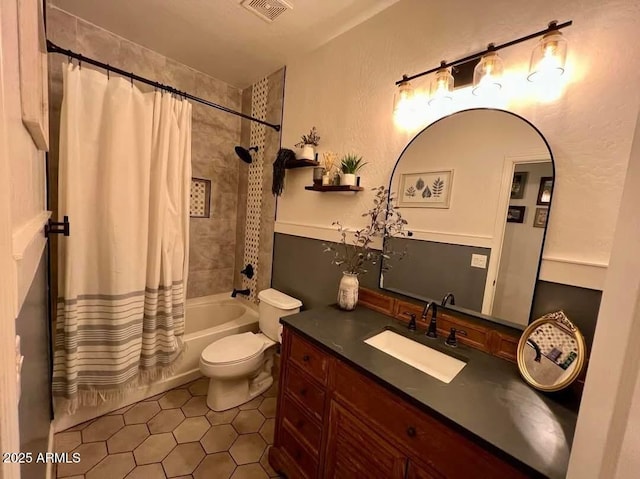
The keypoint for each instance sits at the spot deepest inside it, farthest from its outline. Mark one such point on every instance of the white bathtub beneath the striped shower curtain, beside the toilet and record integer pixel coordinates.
(207, 319)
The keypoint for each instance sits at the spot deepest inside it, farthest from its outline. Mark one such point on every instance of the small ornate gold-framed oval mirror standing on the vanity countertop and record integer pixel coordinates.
(551, 352)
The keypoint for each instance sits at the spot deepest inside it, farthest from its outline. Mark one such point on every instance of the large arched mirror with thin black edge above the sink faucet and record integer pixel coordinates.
(475, 188)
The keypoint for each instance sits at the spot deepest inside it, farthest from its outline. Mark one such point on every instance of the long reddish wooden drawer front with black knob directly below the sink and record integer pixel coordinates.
(423, 436)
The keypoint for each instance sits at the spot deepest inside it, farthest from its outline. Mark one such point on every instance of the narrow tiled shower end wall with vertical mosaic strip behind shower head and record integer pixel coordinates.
(258, 244)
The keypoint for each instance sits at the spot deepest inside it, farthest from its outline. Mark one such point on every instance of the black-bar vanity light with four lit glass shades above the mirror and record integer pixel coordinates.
(548, 58)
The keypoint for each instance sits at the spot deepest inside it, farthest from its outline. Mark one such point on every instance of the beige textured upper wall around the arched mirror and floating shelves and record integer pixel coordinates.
(346, 88)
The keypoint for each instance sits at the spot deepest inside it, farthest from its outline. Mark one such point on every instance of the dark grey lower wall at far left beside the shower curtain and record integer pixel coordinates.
(32, 326)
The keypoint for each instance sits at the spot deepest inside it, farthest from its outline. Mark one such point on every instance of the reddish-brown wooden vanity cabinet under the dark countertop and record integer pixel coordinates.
(333, 422)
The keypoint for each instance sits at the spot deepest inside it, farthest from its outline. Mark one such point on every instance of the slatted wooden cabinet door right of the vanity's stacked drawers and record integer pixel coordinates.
(354, 450)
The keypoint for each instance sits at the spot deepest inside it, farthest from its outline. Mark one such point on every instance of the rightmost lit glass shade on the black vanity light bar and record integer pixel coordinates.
(548, 57)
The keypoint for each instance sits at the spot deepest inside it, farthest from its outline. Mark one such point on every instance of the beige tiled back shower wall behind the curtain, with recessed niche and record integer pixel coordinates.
(214, 136)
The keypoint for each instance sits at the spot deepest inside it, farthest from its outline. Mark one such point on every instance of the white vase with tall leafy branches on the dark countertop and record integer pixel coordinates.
(356, 248)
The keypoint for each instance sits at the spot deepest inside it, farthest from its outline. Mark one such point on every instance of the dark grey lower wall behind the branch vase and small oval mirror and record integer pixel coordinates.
(302, 270)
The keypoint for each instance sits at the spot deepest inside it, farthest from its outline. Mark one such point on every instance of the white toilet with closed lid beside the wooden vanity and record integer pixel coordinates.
(239, 366)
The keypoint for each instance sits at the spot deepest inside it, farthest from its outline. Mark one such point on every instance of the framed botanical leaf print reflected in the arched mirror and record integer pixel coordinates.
(431, 189)
